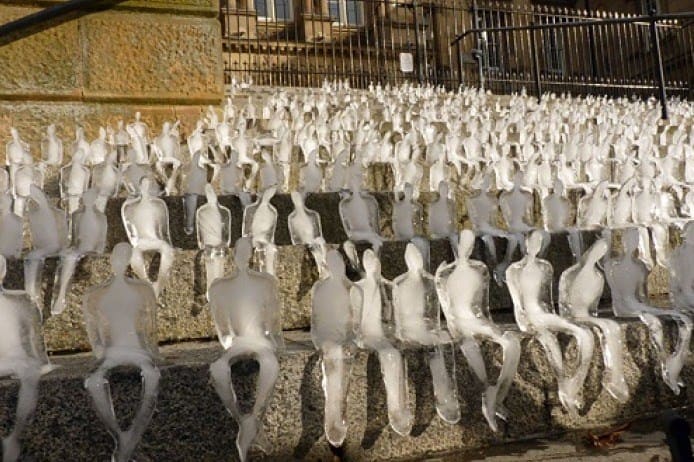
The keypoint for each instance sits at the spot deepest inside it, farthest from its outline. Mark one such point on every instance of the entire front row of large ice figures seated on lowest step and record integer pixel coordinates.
(439, 313)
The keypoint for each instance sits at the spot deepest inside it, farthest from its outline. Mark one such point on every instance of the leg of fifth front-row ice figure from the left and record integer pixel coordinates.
(395, 378)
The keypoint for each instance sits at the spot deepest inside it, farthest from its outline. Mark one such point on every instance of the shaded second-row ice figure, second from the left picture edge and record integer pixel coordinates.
(49, 236)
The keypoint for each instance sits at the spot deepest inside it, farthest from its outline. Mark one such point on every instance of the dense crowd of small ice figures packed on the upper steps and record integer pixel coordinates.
(415, 130)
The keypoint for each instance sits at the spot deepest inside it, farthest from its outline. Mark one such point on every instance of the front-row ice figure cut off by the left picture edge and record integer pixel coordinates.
(22, 356)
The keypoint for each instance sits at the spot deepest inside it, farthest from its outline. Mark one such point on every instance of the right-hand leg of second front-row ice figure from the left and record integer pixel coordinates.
(130, 438)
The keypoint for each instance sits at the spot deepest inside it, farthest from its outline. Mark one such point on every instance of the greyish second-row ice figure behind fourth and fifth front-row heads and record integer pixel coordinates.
(359, 215)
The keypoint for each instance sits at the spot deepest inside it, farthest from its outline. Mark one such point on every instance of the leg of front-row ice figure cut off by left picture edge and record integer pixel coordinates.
(26, 404)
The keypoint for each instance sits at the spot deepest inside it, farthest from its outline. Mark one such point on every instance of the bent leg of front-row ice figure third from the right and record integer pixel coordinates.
(613, 357)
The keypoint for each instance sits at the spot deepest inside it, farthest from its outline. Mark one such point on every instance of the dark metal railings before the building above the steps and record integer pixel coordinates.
(303, 42)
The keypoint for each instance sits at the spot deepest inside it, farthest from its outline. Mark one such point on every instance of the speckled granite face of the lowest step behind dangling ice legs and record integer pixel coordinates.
(191, 424)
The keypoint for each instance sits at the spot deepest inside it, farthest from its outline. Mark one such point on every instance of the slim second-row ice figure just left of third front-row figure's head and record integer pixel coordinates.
(213, 223)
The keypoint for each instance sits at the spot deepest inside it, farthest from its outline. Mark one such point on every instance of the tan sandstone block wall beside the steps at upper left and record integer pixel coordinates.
(91, 68)
